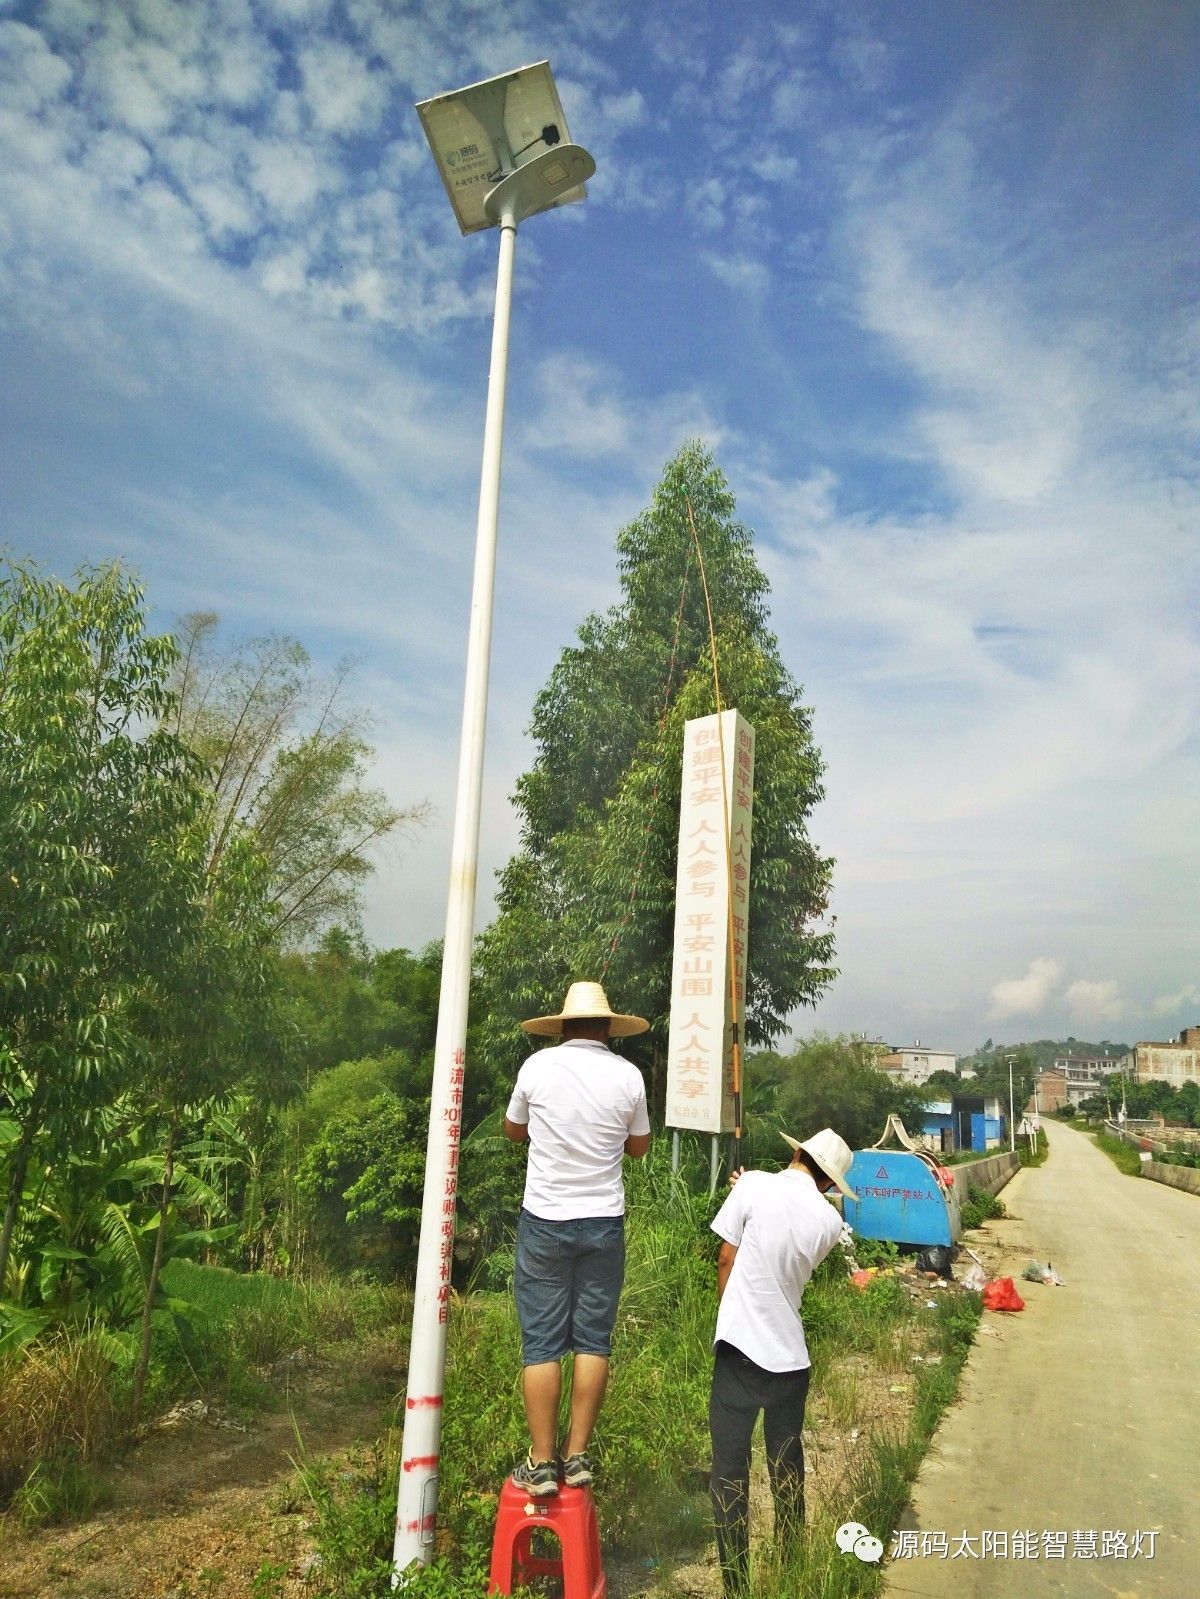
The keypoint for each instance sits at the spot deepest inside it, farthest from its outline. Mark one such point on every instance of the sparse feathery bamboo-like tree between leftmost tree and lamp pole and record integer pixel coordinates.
(289, 768)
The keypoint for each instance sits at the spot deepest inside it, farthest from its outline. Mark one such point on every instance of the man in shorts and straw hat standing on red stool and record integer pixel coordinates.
(583, 1109)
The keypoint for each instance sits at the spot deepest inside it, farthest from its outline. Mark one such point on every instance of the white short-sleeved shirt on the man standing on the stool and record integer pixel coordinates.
(580, 1103)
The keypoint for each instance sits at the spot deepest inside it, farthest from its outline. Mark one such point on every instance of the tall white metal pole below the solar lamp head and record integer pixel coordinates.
(417, 1497)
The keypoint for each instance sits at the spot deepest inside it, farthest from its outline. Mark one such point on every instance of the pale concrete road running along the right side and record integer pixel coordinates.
(1082, 1413)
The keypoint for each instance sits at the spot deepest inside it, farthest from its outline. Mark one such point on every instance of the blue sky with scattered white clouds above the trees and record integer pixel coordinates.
(922, 276)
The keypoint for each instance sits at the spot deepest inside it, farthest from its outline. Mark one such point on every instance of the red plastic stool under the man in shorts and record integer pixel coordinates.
(570, 1517)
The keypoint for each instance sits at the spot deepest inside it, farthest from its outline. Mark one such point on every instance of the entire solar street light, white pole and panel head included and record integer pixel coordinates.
(505, 156)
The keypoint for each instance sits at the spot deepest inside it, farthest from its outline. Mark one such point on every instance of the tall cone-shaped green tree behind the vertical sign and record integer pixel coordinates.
(593, 888)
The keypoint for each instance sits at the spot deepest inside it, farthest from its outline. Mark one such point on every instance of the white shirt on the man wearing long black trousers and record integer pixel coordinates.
(783, 1229)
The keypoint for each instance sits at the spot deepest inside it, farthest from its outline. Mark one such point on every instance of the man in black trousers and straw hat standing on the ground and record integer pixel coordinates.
(775, 1230)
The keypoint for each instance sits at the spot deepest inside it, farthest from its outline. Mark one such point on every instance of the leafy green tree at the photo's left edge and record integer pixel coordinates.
(94, 786)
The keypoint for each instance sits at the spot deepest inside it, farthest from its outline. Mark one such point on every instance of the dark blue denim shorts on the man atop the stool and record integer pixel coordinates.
(569, 1283)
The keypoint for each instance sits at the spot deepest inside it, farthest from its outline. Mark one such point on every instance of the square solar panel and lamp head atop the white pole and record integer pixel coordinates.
(494, 132)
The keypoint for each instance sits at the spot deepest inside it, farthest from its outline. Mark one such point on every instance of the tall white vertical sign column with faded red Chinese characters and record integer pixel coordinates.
(714, 863)
